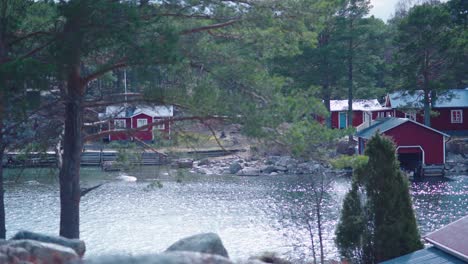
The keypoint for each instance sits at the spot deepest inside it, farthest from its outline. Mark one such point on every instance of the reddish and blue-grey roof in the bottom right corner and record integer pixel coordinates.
(449, 246)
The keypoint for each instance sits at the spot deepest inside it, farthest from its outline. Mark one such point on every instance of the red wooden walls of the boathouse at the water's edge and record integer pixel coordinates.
(410, 134)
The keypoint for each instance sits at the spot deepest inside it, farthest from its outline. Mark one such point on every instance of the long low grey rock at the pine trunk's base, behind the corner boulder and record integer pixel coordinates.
(77, 245)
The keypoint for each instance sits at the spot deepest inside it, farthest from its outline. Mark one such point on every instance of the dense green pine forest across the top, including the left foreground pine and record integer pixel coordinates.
(257, 63)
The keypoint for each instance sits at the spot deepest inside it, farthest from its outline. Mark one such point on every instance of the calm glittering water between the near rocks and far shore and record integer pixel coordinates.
(251, 214)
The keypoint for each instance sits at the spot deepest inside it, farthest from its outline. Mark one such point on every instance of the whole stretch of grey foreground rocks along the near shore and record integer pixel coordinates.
(33, 248)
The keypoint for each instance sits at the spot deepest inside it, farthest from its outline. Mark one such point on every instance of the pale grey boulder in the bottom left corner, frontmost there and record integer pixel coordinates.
(42, 253)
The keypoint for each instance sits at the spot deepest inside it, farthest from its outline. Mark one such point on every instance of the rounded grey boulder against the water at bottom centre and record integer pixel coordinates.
(209, 243)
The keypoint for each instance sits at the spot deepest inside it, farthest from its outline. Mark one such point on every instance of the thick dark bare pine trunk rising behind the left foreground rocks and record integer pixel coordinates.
(70, 192)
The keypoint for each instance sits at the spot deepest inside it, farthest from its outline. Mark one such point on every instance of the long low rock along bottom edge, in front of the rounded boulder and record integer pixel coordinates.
(175, 257)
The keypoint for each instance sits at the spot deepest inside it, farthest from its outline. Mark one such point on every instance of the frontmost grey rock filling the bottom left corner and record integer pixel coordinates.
(30, 251)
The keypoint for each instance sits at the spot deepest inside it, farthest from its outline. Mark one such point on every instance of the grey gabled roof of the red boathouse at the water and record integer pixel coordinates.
(388, 123)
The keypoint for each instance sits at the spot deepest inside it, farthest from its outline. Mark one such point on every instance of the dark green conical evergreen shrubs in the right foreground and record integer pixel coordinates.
(388, 216)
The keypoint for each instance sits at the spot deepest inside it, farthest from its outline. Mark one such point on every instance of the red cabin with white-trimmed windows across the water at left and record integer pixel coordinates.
(131, 117)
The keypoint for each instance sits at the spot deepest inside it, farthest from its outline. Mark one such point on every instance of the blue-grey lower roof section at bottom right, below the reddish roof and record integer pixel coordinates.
(430, 255)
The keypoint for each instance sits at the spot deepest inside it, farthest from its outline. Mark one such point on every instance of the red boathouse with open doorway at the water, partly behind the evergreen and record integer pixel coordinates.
(417, 145)
